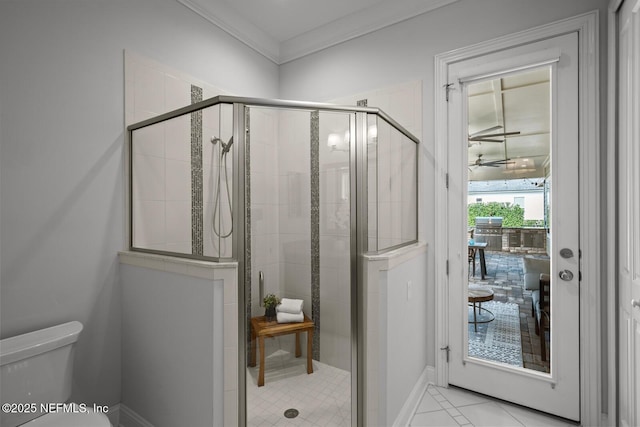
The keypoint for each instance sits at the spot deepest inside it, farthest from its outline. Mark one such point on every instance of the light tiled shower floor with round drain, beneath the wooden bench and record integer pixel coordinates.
(322, 398)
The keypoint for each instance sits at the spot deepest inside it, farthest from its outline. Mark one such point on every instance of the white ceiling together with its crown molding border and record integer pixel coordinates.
(284, 30)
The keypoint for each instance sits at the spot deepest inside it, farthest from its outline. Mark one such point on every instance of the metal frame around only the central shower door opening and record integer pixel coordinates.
(358, 230)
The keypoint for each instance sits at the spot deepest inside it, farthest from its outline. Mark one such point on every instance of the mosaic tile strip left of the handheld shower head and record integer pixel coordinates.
(197, 219)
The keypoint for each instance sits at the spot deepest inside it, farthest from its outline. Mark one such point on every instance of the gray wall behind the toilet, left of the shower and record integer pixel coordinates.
(62, 208)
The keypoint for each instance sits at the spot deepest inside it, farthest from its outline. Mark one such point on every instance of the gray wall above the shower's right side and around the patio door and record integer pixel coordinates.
(405, 52)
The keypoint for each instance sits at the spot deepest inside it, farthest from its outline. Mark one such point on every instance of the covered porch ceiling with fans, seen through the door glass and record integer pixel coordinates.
(517, 105)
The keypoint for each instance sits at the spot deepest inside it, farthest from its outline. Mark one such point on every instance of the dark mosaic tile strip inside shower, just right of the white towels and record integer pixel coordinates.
(315, 230)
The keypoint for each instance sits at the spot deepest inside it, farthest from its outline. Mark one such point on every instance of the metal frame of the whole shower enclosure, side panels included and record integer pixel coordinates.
(358, 172)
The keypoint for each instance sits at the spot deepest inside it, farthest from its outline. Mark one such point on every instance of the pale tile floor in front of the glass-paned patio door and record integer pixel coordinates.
(443, 407)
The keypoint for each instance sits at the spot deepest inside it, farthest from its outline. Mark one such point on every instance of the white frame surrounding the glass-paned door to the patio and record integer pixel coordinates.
(586, 25)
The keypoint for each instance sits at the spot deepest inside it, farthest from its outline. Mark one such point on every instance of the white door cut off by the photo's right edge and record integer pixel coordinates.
(629, 212)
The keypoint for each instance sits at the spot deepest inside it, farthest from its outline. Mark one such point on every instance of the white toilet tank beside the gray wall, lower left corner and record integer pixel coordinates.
(36, 368)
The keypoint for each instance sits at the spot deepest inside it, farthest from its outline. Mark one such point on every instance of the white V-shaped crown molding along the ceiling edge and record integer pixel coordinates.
(346, 28)
